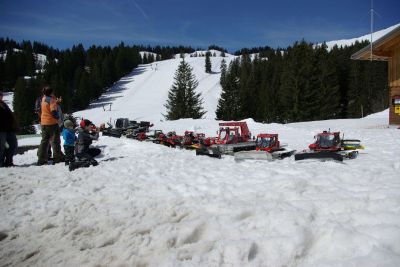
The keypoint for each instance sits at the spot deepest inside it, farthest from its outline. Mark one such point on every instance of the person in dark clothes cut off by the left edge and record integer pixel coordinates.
(8, 139)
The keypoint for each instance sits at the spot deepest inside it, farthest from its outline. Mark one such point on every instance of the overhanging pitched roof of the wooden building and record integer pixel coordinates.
(381, 49)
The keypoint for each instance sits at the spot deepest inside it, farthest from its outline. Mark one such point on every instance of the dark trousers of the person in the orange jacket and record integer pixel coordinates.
(50, 135)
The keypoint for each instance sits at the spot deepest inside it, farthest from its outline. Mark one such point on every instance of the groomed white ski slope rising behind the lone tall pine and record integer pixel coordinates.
(142, 94)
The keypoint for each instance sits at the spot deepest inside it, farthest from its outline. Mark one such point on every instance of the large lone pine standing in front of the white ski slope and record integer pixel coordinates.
(183, 101)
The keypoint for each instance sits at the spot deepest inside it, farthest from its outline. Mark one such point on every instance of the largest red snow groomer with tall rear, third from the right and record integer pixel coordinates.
(232, 137)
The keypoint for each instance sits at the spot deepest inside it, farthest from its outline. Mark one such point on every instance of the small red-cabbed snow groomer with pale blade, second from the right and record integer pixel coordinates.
(268, 147)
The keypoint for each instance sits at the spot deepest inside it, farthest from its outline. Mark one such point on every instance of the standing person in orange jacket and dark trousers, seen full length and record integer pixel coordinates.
(50, 129)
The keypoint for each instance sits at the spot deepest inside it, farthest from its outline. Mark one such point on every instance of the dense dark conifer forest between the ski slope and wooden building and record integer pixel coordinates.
(301, 83)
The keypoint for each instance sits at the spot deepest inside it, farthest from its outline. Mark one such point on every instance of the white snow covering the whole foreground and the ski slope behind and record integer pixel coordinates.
(149, 205)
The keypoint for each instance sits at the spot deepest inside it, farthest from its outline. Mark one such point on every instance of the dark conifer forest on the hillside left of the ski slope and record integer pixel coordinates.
(77, 74)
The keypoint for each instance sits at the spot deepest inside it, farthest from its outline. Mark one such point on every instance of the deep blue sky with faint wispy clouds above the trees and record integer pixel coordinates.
(232, 24)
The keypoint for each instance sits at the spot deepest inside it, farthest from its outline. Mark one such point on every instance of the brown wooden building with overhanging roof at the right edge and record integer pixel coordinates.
(387, 48)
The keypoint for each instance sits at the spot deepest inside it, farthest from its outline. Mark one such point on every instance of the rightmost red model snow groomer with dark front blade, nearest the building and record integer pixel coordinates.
(327, 145)
